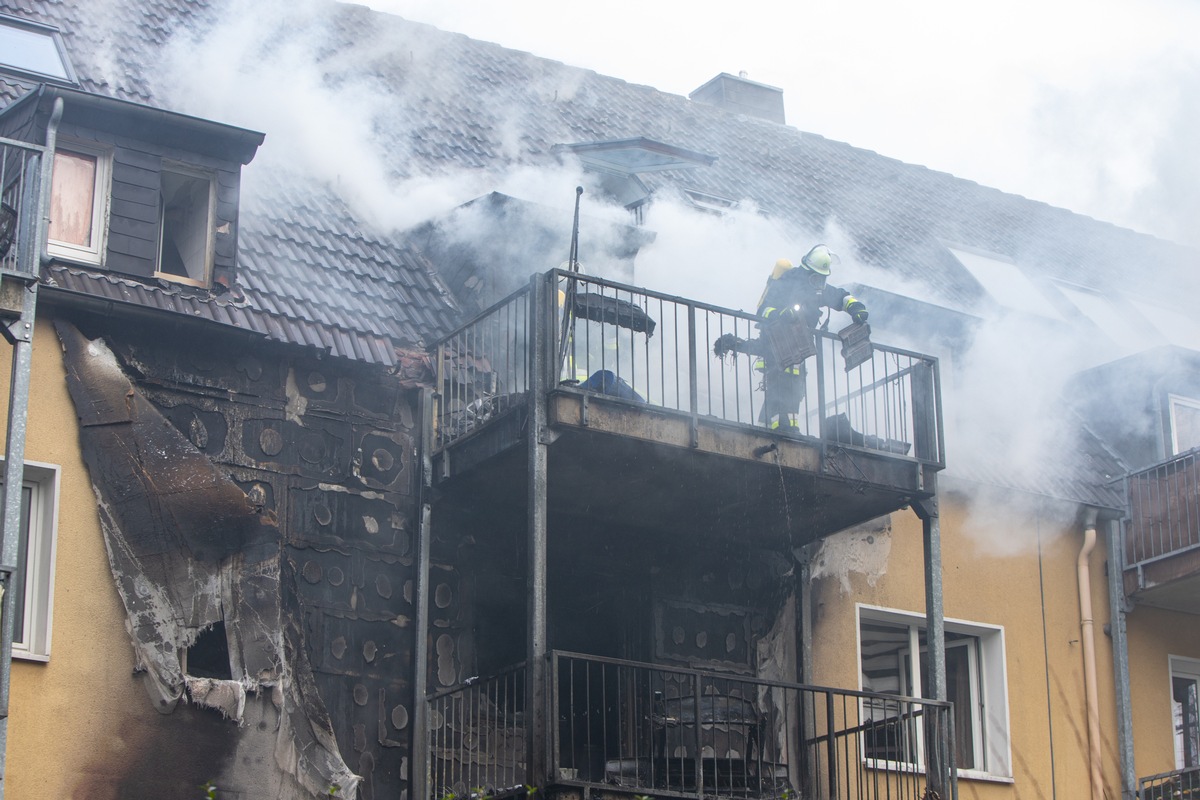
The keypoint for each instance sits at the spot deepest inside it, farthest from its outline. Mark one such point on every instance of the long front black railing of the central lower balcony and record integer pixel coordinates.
(652, 730)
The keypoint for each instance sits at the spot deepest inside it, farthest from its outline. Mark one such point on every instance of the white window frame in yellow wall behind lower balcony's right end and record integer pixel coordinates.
(989, 688)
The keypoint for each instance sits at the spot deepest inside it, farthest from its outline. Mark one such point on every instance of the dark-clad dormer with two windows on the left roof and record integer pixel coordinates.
(139, 191)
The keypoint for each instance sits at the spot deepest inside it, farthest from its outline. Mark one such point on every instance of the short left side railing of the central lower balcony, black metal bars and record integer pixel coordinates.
(477, 738)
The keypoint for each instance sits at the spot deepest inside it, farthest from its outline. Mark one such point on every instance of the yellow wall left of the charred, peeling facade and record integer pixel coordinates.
(71, 717)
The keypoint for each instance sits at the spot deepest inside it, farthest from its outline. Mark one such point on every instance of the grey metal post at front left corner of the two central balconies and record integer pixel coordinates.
(536, 643)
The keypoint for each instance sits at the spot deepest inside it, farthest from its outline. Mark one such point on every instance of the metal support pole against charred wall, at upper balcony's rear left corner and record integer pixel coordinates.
(419, 767)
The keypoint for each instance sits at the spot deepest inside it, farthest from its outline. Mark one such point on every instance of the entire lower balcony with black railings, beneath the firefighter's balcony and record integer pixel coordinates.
(629, 729)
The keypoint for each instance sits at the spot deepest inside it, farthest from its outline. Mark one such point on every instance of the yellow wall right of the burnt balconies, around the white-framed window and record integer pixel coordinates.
(1013, 563)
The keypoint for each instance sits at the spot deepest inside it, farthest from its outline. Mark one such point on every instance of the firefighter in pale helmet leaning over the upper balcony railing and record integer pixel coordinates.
(796, 298)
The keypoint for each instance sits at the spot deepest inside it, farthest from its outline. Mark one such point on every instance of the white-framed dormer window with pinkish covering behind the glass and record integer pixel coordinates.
(79, 203)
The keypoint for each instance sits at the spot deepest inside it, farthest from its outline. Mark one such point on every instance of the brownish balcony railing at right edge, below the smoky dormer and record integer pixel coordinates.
(1165, 510)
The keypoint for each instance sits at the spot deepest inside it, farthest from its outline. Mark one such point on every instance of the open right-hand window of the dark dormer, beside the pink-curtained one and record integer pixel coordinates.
(185, 215)
